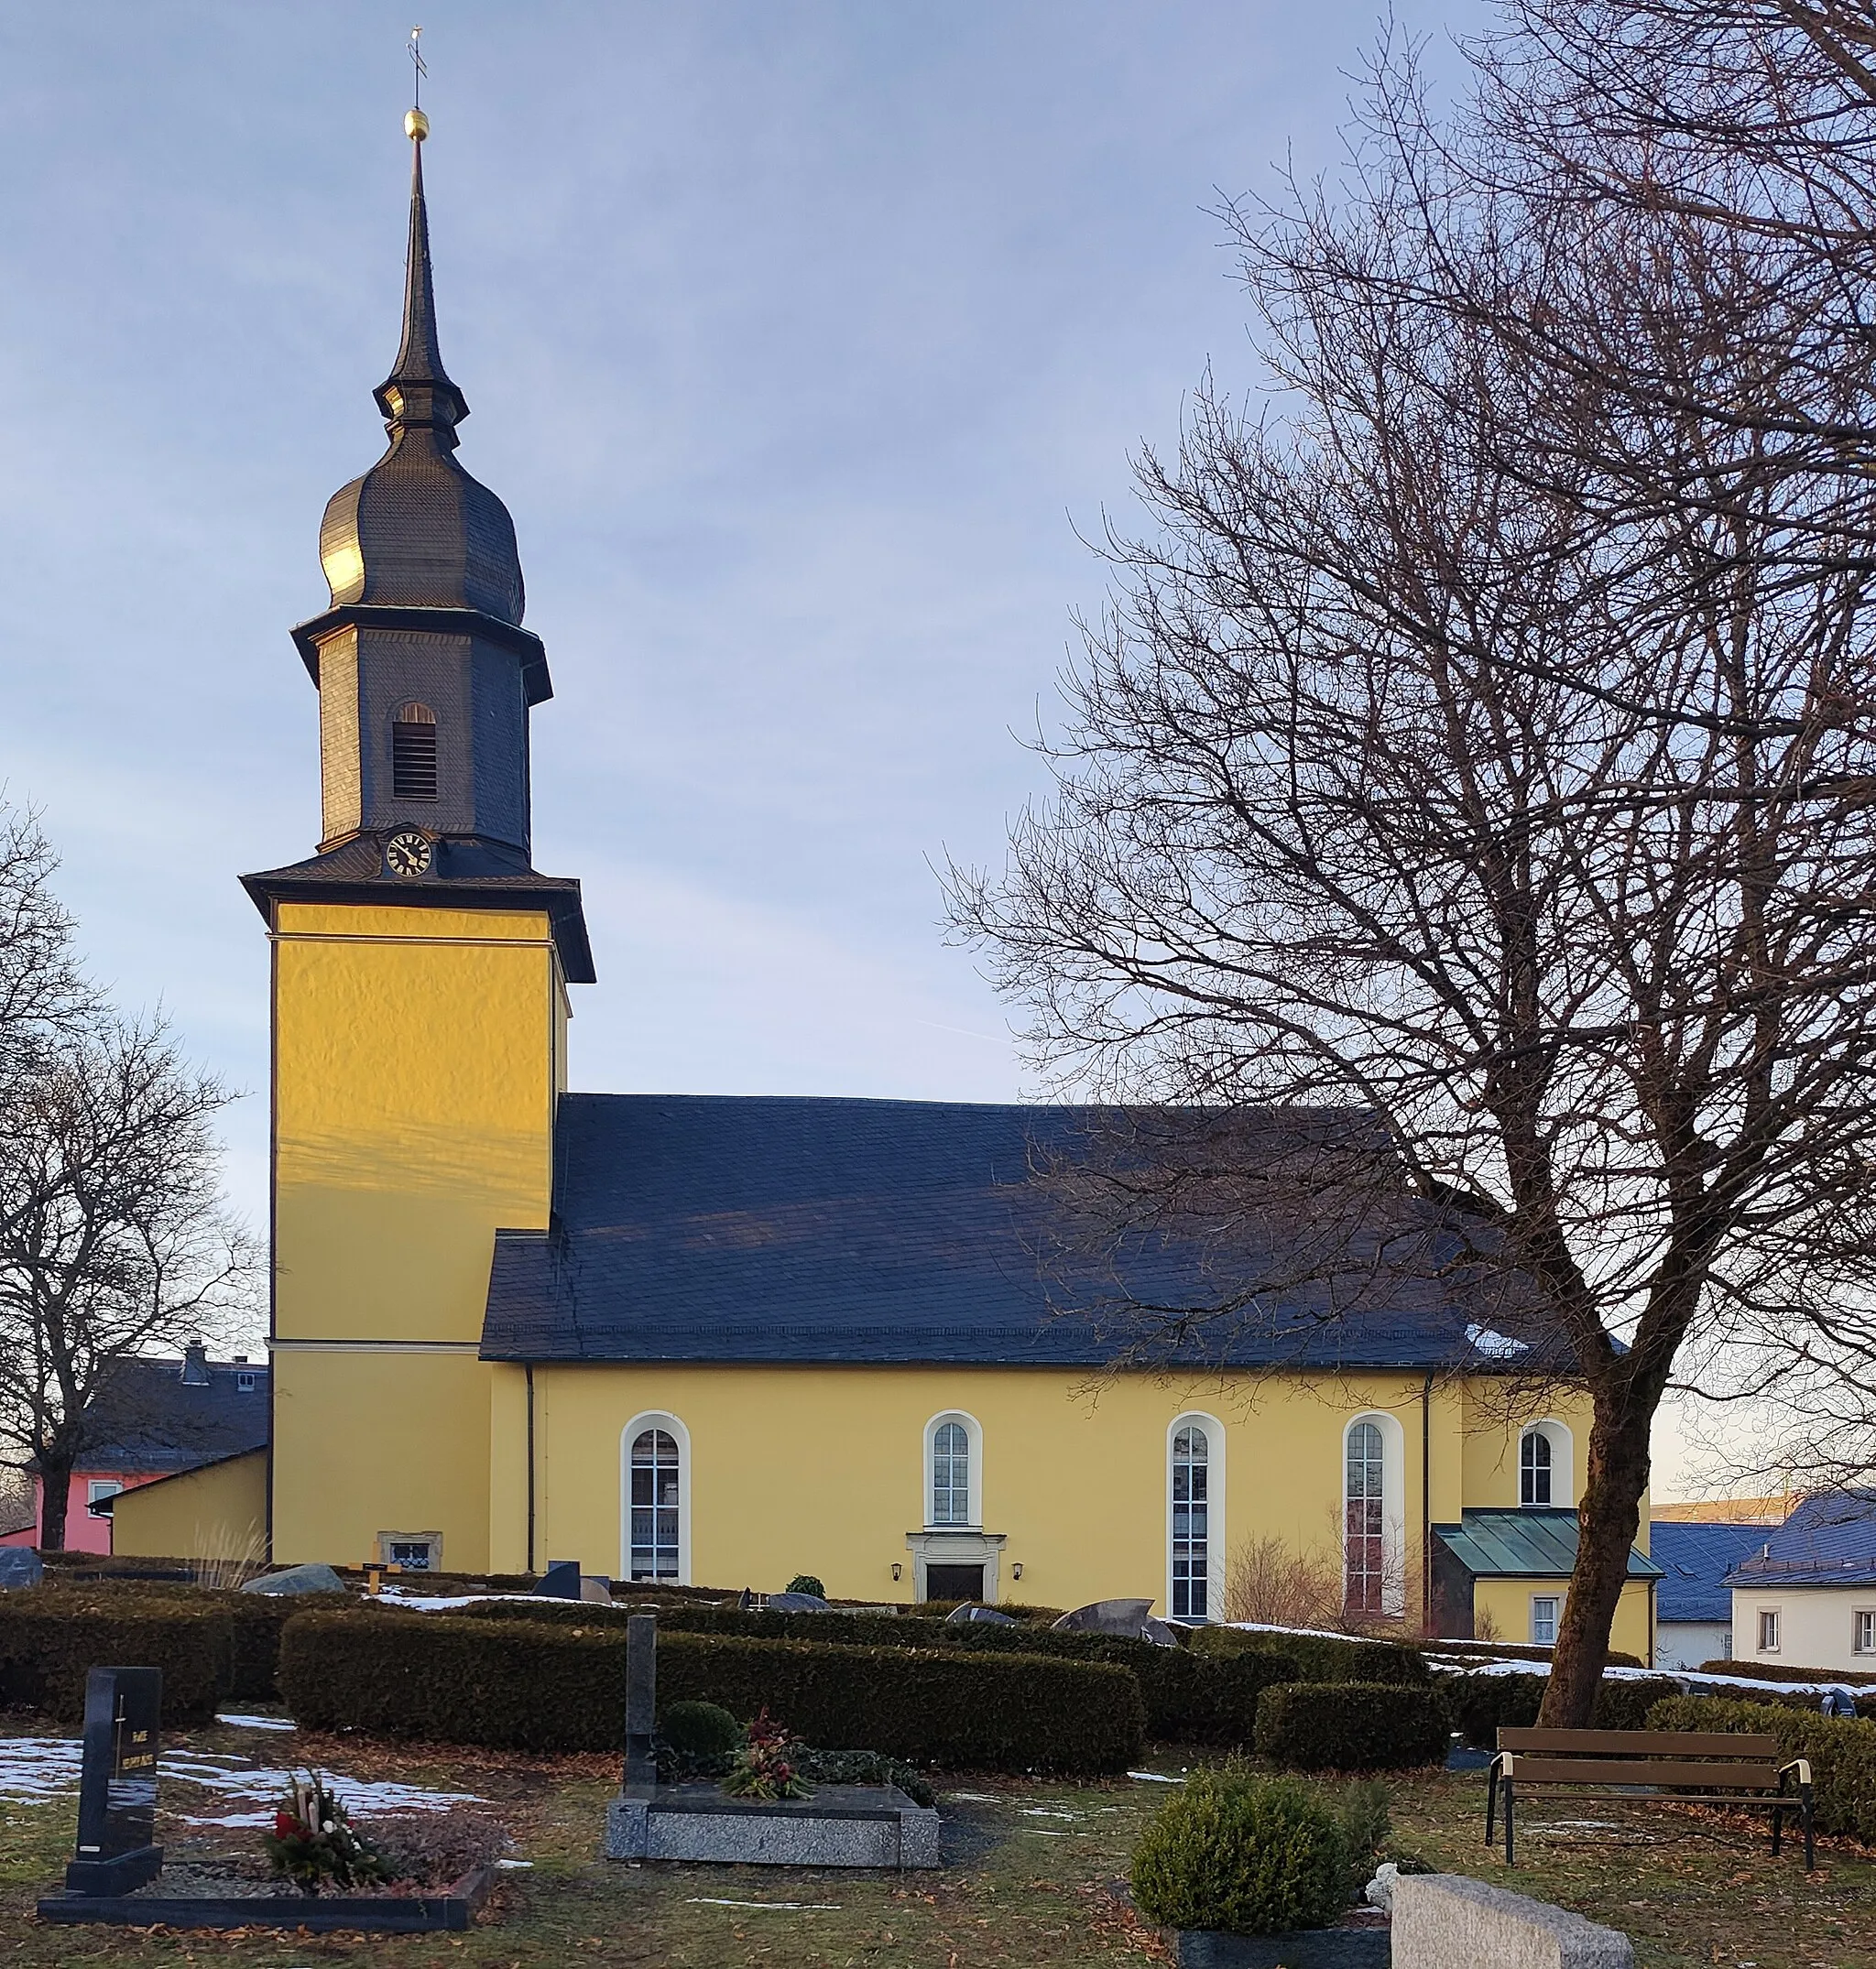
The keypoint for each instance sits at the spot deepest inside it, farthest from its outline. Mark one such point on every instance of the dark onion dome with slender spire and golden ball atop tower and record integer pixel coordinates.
(416, 531)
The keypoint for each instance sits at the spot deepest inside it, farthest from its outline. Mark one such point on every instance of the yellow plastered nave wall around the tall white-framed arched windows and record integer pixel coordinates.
(824, 1470)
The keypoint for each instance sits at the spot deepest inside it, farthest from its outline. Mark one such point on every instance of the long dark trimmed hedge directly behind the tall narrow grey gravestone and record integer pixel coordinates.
(554, 1686)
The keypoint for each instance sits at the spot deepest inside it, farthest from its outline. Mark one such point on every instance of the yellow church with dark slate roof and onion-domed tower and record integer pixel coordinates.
(719, 1340)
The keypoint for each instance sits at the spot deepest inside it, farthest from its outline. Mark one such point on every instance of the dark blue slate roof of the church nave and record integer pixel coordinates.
(692, 1228)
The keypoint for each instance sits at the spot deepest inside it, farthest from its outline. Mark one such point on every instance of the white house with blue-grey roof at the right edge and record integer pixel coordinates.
(1806, 1594)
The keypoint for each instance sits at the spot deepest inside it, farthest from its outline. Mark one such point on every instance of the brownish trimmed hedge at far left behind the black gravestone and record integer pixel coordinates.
(52, 1635)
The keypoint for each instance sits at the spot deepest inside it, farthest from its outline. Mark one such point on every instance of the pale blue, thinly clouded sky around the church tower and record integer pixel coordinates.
(808, 342)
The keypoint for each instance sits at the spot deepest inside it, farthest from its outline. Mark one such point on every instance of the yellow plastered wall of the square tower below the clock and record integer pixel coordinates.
(416, 1062)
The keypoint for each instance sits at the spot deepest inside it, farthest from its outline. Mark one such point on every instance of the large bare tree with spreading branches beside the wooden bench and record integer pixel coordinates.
(1481, 747)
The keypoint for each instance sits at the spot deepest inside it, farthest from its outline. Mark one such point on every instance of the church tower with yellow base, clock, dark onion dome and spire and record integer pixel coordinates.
(420, 1005)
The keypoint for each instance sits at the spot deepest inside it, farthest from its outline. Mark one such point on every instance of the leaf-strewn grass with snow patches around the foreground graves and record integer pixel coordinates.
(1029, 1881)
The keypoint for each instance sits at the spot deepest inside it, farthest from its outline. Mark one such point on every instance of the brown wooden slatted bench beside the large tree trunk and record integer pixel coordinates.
(1684, 1767)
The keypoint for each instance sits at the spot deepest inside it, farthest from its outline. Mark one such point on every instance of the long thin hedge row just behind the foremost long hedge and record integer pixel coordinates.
(1188, 1696)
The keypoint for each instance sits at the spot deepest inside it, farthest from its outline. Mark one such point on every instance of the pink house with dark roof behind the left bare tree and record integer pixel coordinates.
(153, 1421)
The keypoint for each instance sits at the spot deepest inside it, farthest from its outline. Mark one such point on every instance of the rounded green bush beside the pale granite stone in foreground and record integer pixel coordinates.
(1253, 1856)
